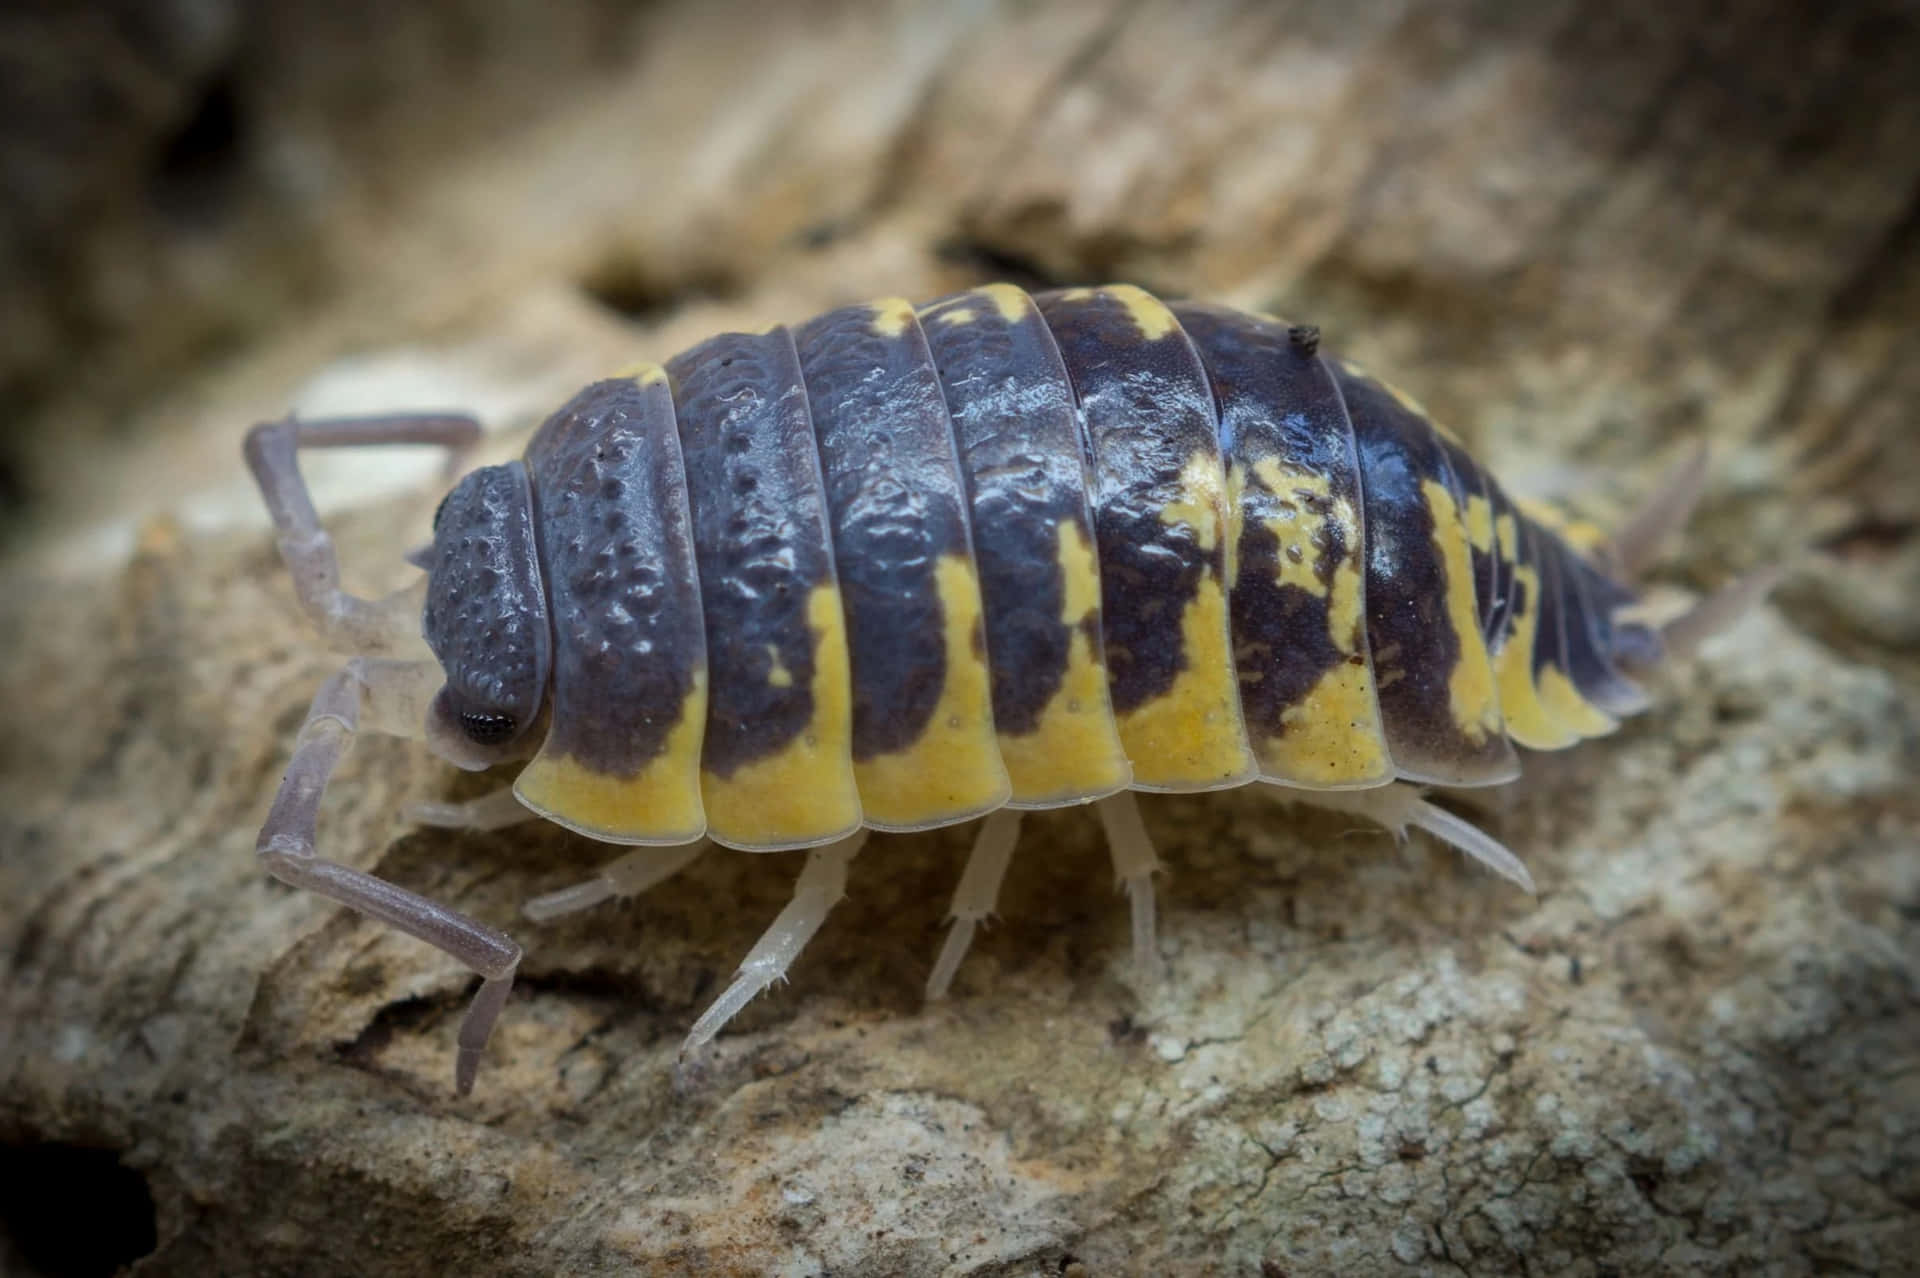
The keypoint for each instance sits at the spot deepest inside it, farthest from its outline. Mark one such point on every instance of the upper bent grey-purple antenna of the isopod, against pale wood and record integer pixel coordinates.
(348, 623)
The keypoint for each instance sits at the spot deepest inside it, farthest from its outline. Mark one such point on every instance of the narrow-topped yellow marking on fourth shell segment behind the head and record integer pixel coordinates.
(1074, 751)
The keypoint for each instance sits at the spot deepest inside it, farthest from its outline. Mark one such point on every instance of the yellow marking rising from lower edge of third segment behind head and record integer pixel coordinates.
(955, 769)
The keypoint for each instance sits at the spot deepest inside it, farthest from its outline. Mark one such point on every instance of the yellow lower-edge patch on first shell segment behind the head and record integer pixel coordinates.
(660, 805)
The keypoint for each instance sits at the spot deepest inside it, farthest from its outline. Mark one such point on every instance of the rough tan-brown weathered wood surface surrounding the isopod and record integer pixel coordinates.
(1587, 235)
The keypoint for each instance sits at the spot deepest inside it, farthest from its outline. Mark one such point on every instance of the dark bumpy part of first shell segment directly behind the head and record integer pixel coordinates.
(617, 544)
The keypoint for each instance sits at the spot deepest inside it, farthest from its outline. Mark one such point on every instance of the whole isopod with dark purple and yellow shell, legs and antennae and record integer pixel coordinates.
(901, 569)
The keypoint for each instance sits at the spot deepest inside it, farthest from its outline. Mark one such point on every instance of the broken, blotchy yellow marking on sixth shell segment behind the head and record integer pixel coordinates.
(1333, 736)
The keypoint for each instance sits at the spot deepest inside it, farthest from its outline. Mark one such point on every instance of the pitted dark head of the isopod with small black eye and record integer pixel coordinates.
(487, 605)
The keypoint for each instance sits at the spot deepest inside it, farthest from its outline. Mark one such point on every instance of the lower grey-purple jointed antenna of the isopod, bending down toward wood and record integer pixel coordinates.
(287, 849)
